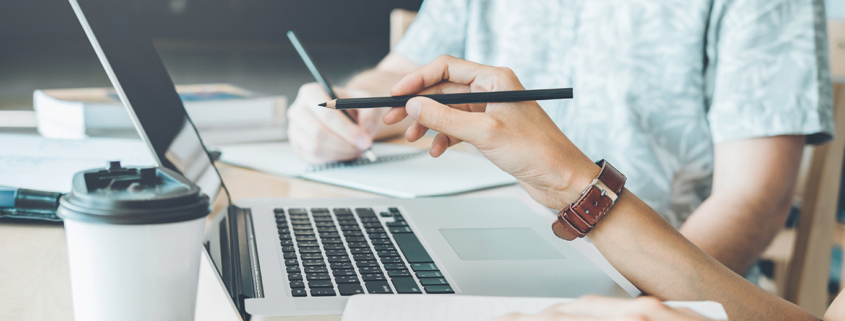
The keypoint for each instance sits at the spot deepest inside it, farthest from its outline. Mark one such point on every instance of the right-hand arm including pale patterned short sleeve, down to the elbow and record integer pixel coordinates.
(754, 178)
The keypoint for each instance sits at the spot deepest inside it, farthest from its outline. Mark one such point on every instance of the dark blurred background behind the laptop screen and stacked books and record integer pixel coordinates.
(240, 42)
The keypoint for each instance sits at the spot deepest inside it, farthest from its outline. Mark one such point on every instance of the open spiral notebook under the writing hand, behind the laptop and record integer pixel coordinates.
(400, 171)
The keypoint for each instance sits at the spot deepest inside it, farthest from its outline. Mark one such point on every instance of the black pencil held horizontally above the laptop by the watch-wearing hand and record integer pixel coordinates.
(452, 99)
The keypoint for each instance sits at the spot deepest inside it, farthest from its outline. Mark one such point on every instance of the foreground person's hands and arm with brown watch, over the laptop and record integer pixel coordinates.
(521, 139)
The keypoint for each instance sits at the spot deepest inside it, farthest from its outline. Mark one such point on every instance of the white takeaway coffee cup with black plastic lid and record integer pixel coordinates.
(134, 241)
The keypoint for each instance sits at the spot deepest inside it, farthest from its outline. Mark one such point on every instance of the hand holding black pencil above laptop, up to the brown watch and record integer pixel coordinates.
(518, 137)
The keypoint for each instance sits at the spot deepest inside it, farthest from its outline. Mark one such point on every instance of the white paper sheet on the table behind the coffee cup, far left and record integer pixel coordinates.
(34, 162)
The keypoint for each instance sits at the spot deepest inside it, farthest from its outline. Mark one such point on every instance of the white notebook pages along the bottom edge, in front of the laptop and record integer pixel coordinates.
(470, 308)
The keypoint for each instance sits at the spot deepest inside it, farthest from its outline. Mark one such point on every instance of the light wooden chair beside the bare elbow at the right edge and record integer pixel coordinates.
(801, 255)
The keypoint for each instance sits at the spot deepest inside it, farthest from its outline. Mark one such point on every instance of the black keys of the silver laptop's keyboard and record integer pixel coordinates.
(352, 253)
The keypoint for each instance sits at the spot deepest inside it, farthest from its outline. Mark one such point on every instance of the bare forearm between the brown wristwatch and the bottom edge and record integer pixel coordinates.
(670, 267)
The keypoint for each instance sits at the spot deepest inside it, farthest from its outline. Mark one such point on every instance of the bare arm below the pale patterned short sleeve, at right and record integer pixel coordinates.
(753, 184)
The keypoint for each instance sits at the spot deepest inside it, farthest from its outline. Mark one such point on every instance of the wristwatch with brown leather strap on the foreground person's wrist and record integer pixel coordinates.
(596, 200)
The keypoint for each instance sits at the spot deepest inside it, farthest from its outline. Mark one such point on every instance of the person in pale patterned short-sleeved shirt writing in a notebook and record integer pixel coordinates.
(704, 104)
